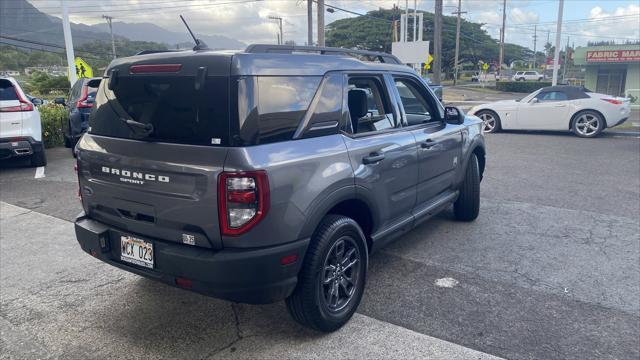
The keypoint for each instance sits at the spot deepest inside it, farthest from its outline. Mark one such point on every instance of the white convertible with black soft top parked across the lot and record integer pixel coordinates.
(572, 108)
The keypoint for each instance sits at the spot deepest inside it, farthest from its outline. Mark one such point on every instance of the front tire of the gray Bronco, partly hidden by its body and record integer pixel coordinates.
(467, 206)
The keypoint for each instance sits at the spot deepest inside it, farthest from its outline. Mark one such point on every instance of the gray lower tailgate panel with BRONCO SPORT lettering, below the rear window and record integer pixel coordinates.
(160, 190)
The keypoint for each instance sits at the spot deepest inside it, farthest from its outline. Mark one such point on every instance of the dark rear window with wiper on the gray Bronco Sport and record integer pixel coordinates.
(176, 111)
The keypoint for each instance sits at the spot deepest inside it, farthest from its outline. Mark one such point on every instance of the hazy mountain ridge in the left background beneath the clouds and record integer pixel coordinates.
(21, 20)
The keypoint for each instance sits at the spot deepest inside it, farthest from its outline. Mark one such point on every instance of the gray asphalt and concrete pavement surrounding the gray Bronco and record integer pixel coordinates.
(551, 269)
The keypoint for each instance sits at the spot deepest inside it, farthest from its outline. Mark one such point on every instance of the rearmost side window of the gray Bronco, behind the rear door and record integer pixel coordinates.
(270, 107)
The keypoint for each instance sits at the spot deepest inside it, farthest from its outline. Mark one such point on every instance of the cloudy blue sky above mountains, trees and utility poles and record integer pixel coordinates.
(248, 20)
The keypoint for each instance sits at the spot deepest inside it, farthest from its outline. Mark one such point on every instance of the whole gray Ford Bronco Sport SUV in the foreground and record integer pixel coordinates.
(269, 174)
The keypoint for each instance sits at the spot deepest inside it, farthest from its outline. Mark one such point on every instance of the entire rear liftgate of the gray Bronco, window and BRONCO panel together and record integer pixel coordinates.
(158, 177)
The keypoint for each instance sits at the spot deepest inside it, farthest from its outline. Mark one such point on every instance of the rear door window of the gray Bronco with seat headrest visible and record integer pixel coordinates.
(378, 114)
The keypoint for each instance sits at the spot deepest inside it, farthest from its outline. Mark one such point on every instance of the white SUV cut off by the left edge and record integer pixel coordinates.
(20, 127)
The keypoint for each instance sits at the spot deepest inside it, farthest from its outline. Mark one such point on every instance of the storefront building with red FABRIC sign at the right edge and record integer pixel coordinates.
(611, 69)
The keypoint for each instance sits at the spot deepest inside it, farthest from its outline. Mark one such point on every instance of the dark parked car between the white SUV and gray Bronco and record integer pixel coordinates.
(79, 104)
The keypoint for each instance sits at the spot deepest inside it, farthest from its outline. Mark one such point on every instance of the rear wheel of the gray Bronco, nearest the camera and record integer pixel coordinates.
(308, 304)
